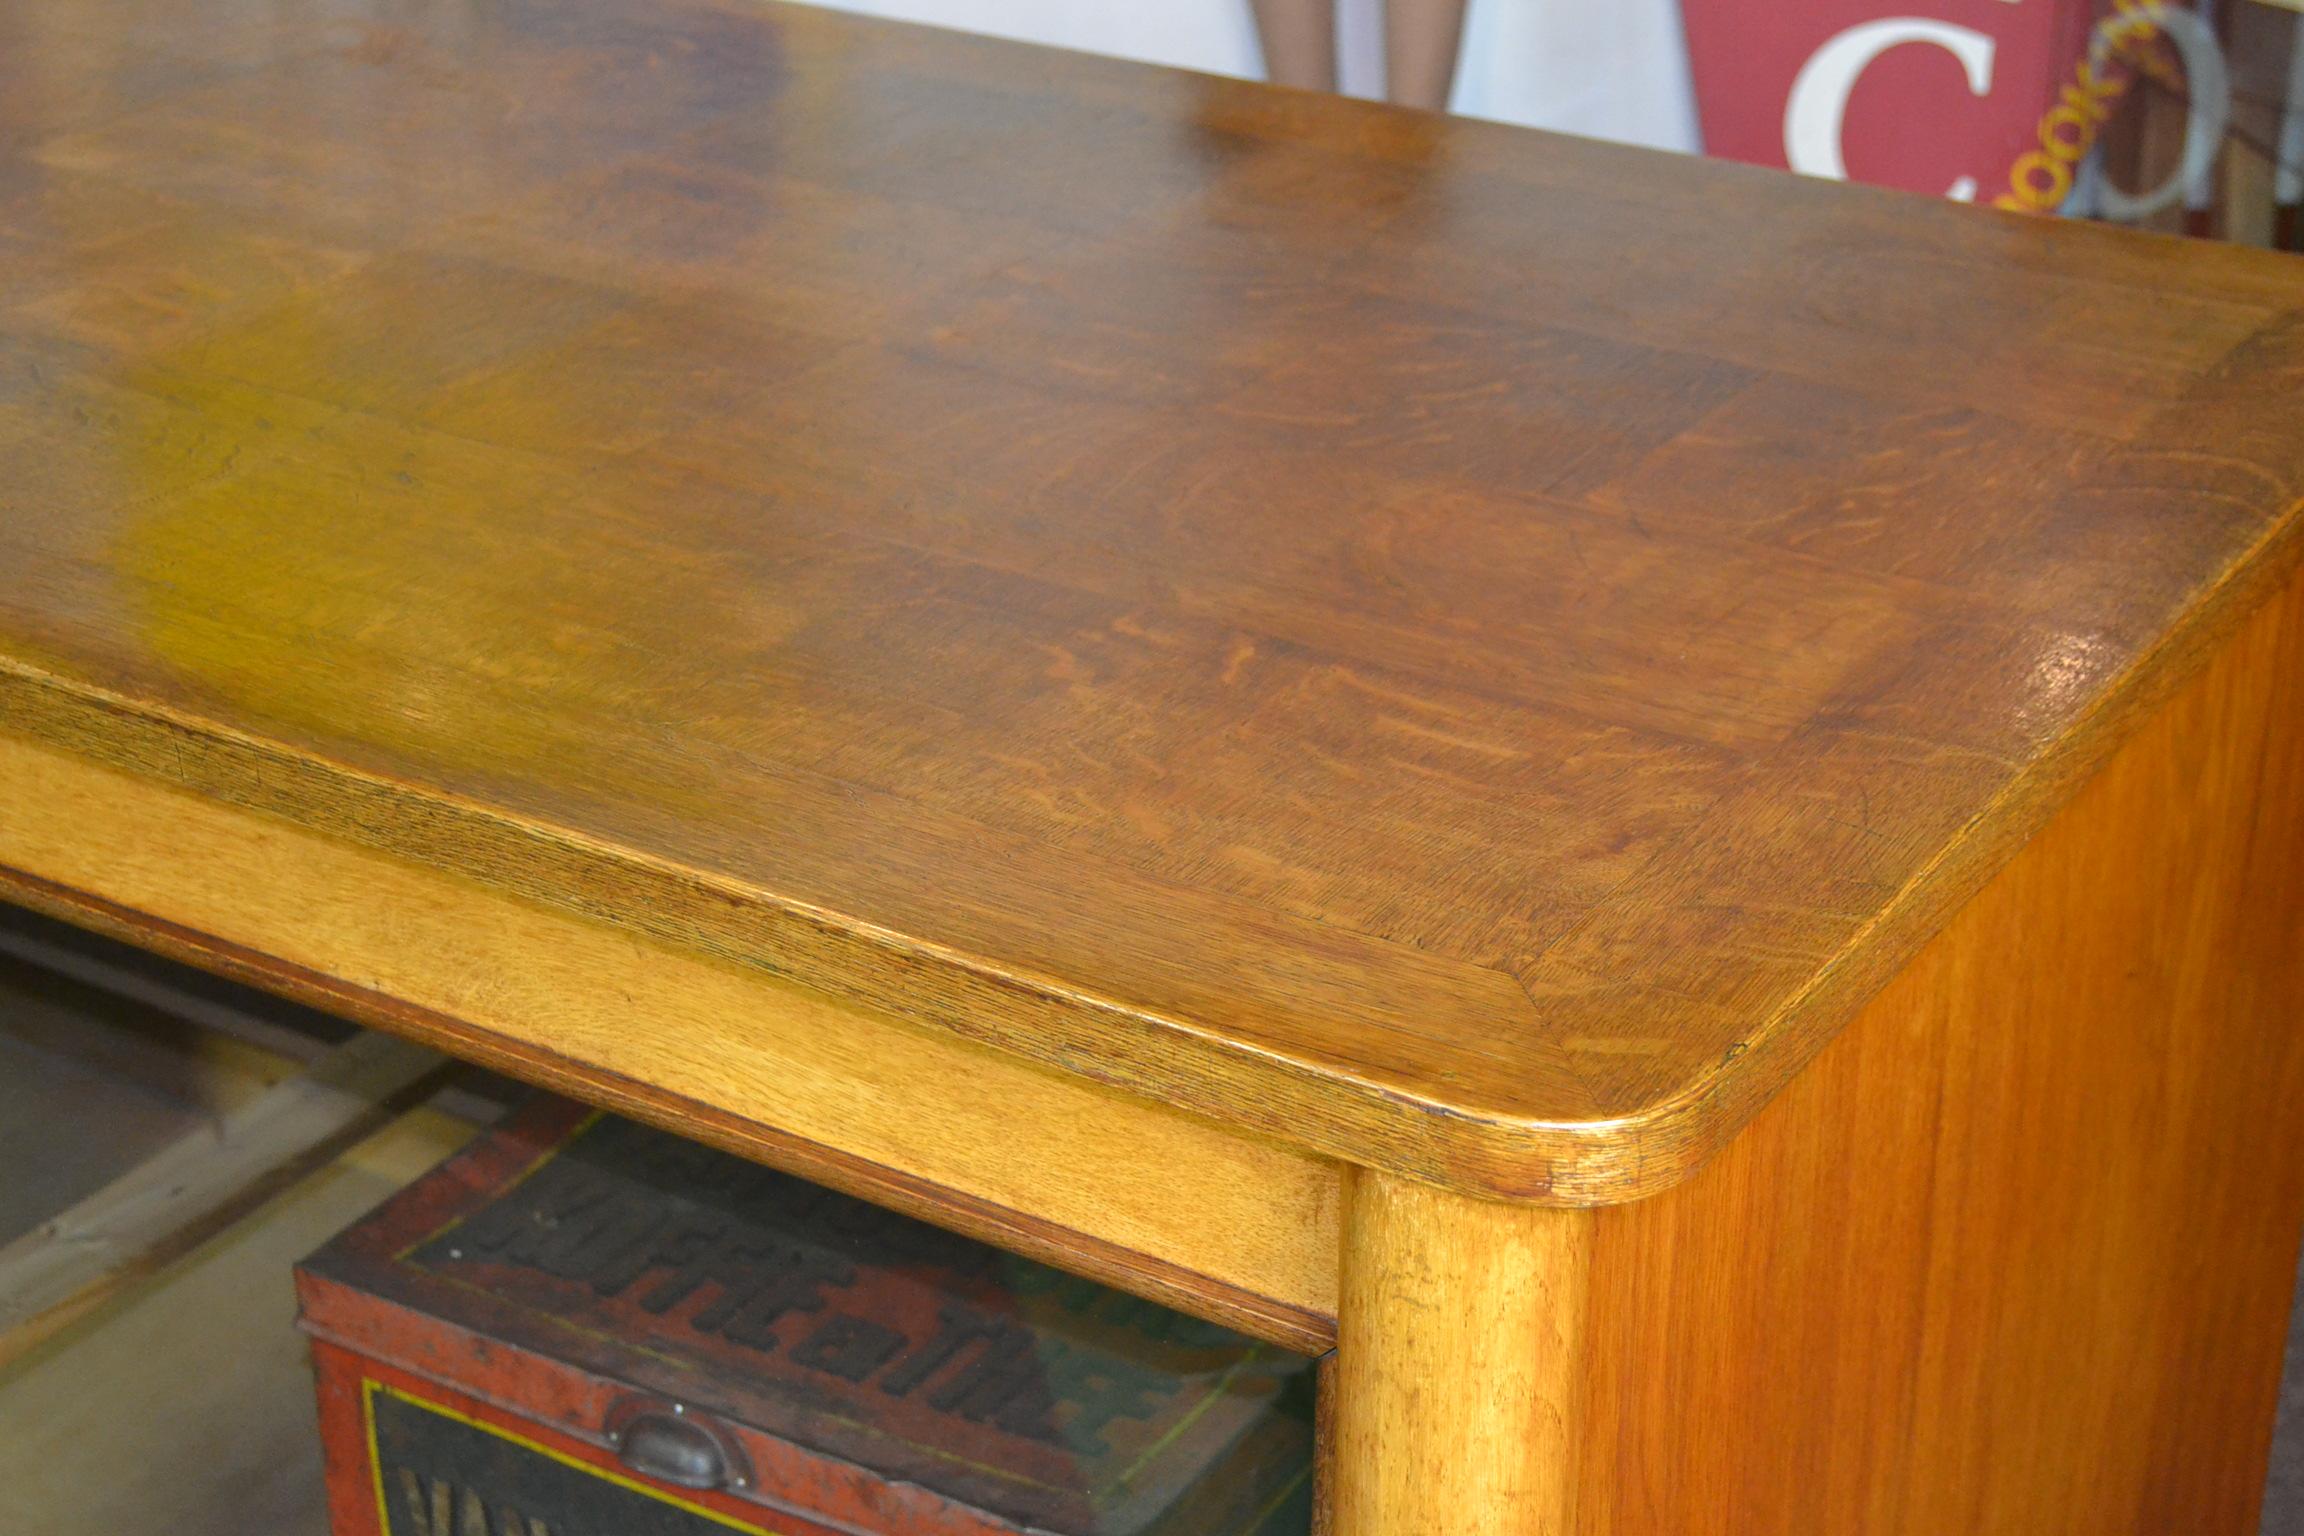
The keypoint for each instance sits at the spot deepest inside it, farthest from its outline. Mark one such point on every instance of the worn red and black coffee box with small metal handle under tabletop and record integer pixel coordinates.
(582, 1325)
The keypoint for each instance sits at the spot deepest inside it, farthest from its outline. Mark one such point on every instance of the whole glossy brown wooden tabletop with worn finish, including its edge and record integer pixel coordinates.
(1462, 651)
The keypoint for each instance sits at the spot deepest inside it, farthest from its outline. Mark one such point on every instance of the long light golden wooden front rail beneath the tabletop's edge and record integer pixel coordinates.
(1098, 1183)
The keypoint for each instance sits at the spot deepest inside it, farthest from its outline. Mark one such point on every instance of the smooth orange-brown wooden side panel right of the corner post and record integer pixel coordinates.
(2015, 1254)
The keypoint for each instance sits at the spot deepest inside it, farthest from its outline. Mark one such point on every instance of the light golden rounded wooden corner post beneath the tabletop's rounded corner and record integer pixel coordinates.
(1457, 1364)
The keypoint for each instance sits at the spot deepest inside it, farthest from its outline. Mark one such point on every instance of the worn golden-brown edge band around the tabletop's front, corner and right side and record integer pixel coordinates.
(1545, 1162)
